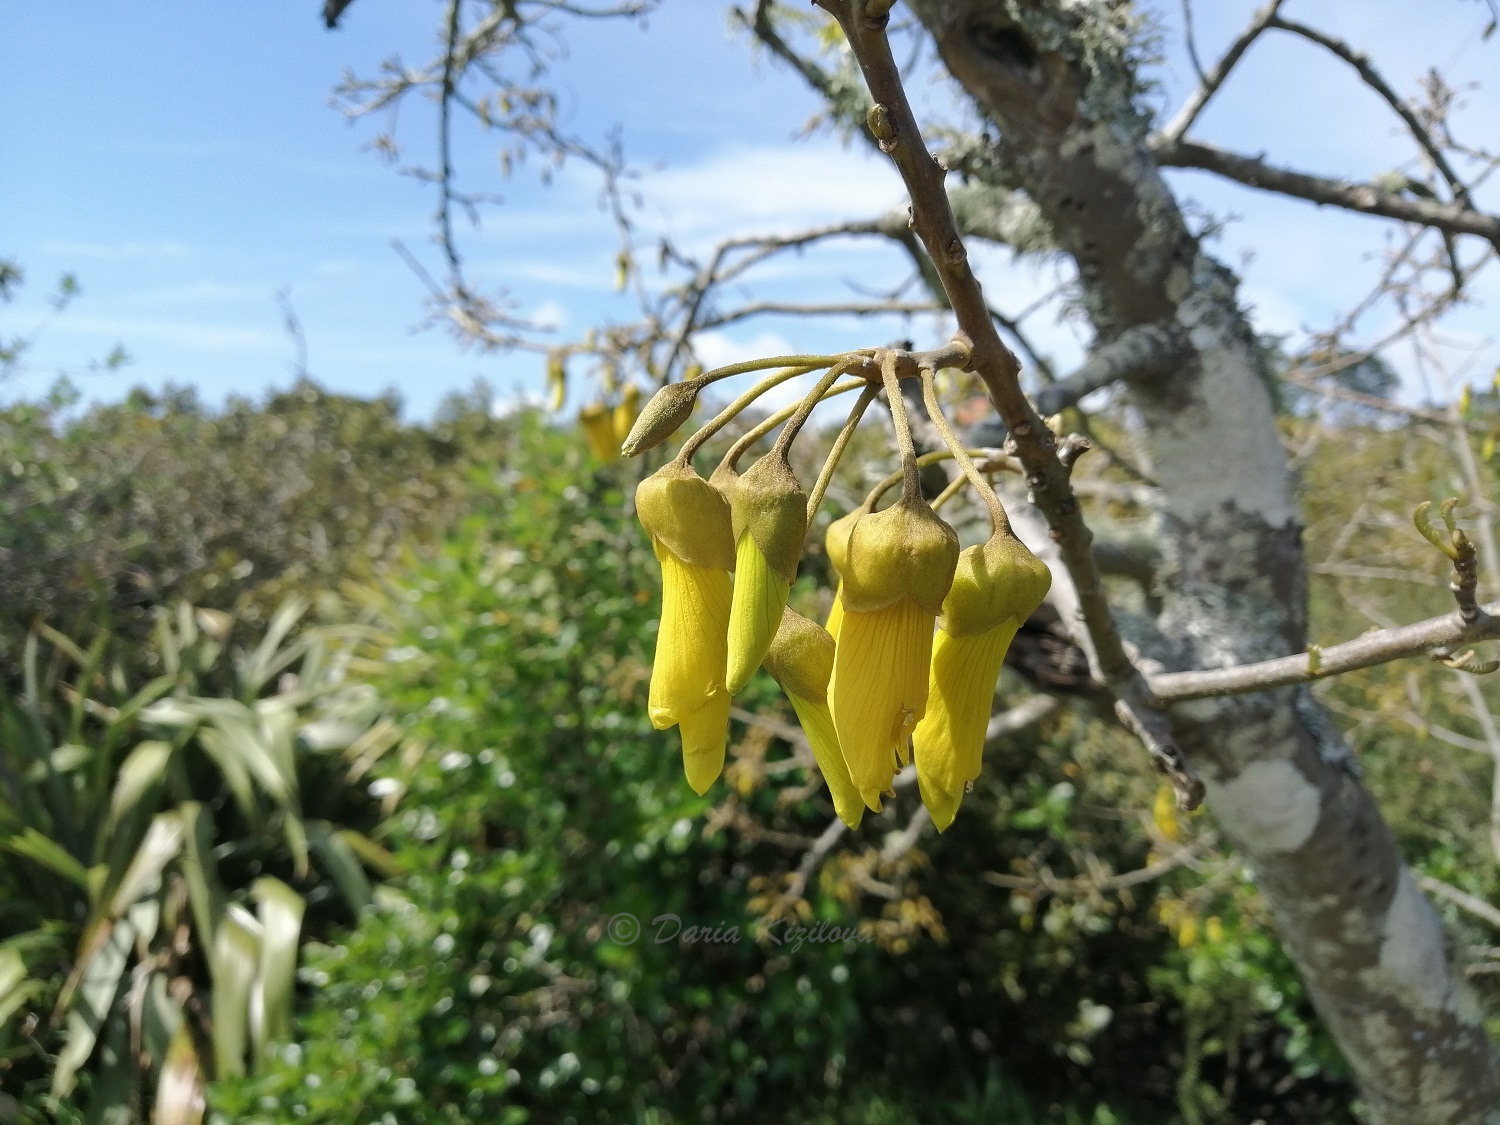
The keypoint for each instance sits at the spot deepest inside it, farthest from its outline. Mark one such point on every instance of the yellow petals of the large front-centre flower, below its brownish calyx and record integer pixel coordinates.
(880, 691)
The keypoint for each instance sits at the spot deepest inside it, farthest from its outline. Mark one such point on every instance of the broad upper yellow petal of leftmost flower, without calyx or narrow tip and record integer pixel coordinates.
(689, 668)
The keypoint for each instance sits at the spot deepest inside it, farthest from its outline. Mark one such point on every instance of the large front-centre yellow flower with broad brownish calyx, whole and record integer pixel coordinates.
(898, 572)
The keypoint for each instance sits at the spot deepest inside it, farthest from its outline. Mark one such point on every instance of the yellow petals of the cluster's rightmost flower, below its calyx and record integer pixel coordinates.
(949, 742)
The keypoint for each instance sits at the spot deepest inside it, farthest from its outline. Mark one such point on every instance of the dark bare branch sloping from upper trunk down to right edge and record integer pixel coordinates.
(1354, 197)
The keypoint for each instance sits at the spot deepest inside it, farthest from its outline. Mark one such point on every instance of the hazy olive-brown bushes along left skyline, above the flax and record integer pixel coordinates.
(158, 499)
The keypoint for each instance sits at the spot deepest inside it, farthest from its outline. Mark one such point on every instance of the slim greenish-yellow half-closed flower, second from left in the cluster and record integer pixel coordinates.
(769, 512)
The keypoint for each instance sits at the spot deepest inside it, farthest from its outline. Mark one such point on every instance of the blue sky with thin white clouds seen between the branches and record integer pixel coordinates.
(184, 163)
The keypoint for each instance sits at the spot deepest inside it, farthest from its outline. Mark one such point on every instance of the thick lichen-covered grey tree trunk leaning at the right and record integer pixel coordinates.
(1235, 589)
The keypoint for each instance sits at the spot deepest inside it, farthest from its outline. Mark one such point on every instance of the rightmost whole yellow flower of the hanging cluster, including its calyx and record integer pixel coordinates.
(997, 586)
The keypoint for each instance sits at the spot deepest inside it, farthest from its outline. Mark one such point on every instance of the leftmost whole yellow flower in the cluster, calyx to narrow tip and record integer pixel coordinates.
(691, 533)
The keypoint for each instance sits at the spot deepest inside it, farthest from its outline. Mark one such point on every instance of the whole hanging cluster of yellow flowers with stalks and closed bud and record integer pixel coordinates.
(904, 673)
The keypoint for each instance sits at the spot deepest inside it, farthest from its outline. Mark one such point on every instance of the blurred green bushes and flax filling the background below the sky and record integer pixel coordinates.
(326, 790)
